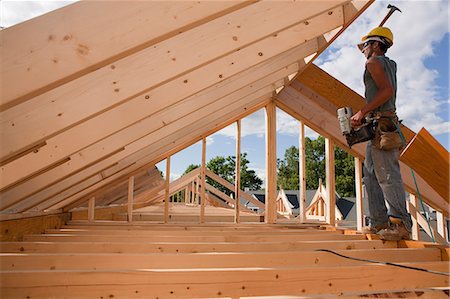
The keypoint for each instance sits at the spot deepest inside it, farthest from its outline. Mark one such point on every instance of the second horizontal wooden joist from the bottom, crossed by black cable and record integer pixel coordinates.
(48, 261)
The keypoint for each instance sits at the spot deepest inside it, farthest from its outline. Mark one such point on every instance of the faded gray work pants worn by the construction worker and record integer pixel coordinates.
(384, 186)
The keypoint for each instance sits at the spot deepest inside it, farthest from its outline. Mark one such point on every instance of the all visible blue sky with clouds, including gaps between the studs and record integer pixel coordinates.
(421, 49)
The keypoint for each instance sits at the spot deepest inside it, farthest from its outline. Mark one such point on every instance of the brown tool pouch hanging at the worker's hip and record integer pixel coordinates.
(387, 137)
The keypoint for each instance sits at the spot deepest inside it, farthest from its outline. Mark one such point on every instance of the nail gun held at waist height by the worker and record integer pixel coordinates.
(362, 133)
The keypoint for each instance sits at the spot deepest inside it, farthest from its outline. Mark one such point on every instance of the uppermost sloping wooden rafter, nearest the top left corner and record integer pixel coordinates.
(58, 54)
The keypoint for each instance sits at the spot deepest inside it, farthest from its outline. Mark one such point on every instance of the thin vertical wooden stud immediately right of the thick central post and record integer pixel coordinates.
(302, 173)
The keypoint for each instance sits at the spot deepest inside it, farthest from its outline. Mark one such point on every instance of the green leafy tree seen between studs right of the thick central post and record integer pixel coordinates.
(315, 168)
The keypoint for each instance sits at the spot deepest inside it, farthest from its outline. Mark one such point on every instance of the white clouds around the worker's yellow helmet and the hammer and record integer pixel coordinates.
(417, 30)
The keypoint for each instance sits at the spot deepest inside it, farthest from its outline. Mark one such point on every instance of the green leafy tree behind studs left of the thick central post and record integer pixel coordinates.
(225, 168)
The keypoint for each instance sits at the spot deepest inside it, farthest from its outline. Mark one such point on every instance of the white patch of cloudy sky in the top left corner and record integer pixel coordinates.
(14, 12)
